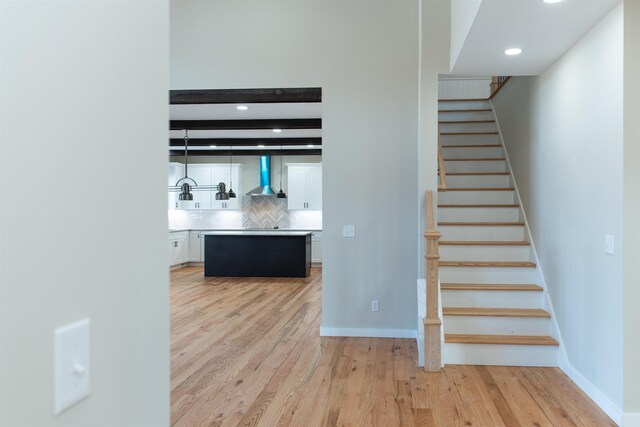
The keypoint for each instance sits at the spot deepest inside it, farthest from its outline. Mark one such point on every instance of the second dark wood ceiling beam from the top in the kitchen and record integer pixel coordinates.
(245, 124)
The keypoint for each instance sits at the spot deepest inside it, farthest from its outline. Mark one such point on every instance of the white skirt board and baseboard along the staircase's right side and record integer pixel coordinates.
(583, 383)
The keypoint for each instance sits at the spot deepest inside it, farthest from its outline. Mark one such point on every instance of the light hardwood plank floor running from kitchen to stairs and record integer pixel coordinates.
(248, 352)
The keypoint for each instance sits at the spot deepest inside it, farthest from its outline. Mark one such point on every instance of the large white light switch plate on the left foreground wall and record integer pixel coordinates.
(71, 364)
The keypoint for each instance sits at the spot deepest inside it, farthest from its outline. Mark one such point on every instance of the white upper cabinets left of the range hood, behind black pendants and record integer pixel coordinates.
(209, 174)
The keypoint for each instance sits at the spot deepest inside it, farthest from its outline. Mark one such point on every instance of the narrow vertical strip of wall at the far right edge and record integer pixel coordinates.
(631, 209)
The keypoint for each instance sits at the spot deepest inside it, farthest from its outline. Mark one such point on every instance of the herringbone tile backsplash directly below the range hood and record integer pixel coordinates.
(264, 212)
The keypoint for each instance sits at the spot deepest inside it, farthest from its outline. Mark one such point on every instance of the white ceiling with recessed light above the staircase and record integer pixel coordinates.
(543, 31)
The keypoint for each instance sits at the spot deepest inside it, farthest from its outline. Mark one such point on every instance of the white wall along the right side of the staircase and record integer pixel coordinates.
(563, 134)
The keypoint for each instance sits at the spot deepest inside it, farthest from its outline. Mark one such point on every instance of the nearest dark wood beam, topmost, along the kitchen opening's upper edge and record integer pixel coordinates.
(245, 96)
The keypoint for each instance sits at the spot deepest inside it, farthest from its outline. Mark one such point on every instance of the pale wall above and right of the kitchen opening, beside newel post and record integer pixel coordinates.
(364, 56)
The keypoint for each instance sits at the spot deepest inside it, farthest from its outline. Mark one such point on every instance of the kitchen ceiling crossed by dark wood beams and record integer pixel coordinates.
(217, 127)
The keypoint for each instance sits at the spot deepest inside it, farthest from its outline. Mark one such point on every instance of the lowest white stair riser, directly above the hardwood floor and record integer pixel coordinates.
(500, 355)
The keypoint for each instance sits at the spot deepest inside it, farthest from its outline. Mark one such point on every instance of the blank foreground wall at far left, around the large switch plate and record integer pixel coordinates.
(83, 222)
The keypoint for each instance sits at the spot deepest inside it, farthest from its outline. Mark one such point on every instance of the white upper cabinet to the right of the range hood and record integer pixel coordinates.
(304, 186)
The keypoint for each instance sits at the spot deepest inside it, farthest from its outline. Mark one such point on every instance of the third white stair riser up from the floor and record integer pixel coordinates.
(491, 299)
